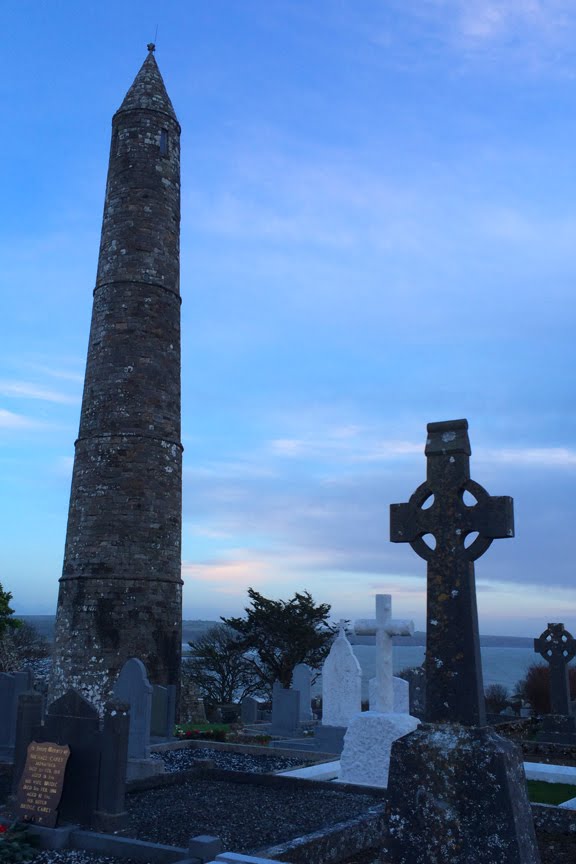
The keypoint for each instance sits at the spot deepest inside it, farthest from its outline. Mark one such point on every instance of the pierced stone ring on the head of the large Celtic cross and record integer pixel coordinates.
(469, 520)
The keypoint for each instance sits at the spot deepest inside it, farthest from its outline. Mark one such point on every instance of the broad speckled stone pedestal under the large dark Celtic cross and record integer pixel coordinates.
(458, 795)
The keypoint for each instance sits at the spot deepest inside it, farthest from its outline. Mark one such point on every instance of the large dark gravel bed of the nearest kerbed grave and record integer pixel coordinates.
(246, 817)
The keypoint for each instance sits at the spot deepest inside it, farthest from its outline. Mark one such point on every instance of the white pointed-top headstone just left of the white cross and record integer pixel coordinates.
(341, 683)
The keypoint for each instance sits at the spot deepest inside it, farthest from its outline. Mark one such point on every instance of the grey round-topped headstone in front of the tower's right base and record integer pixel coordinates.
(133, 688)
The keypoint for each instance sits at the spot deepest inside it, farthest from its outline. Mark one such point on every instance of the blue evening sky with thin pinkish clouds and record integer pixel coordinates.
(378, 230)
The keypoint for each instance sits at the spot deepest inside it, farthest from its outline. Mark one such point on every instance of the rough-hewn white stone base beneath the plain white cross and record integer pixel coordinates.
(365, 759)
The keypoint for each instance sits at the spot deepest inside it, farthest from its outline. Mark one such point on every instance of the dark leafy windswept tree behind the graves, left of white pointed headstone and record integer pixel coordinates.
(279, 634)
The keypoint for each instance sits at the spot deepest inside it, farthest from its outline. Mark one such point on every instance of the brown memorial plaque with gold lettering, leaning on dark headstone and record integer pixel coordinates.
(40, 787)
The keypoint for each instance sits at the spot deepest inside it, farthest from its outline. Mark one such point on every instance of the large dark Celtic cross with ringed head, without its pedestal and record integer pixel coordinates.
(454, 690)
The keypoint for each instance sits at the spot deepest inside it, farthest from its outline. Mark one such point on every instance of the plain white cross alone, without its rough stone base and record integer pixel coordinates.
(385, 628)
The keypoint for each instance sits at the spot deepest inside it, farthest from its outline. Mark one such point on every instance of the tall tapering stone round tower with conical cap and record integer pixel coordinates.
(121, 589)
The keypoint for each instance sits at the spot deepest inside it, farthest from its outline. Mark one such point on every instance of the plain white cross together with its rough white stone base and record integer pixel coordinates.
(366, 755)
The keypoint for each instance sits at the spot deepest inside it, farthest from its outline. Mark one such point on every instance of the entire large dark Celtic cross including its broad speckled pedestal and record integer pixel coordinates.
(457, 792)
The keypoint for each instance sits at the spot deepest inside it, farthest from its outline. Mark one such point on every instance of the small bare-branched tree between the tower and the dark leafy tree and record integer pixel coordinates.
(218, 668)
